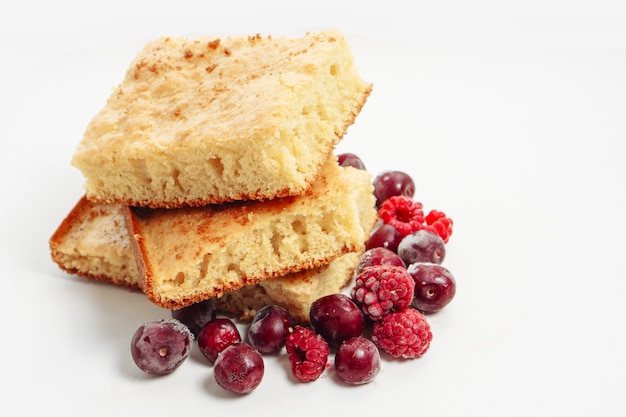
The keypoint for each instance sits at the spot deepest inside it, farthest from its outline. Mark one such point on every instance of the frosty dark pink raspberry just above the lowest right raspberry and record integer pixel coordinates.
(381, 289)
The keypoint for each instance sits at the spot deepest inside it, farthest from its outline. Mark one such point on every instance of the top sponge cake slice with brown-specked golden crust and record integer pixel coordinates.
(213, 120)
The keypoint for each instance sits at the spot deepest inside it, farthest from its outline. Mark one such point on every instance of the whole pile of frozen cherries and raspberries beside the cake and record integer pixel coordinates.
(398, 280)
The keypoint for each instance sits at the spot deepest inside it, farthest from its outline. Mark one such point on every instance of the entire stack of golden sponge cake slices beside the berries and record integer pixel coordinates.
(210, 174)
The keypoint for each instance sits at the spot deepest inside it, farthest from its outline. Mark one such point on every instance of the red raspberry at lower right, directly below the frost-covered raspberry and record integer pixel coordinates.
(403, 334)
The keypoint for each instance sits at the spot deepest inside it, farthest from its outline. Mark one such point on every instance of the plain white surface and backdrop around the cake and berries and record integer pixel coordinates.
(511, 120)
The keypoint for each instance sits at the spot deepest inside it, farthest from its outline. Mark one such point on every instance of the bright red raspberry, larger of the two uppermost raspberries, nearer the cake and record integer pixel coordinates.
(406, 215)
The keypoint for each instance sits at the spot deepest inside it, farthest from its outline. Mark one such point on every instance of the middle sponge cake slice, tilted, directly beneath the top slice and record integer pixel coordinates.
(190, 254)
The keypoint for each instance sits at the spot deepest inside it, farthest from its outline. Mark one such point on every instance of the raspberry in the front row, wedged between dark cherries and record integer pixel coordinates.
(307, 352)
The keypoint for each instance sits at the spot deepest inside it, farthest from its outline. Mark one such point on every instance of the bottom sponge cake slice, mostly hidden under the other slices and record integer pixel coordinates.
(93, 242)
